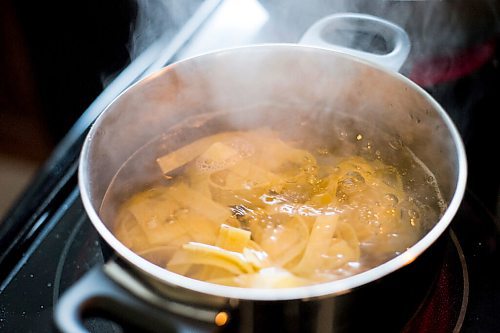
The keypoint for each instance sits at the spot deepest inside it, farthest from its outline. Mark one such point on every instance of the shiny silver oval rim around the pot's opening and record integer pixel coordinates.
(331, 288)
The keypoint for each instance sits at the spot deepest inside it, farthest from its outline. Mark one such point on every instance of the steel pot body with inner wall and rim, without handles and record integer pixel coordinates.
(268, 84)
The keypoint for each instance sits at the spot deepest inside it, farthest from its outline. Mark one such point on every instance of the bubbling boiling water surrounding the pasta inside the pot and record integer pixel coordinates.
(385, 224)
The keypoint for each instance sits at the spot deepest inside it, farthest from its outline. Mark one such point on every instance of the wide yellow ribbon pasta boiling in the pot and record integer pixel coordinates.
(250, 209)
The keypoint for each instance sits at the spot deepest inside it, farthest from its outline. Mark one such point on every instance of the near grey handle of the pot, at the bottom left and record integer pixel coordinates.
(96, 295)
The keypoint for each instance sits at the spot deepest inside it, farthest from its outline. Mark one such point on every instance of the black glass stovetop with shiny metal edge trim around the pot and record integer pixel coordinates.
(48, 243)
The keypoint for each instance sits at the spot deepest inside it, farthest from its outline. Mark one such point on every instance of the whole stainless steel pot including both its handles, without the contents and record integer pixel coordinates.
(265, 84)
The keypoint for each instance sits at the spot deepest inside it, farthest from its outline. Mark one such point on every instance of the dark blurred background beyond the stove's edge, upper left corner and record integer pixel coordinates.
(55, 58)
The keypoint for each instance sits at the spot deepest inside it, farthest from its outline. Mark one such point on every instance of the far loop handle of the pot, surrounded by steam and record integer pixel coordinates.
(365, 36)
